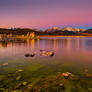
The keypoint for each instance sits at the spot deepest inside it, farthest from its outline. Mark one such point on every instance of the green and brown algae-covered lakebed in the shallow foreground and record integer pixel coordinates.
(17, 82)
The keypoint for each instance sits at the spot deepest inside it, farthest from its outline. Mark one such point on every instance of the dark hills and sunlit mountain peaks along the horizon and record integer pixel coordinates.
(51, 31)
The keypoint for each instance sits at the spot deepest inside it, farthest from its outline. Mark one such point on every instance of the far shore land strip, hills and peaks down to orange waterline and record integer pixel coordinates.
(47, 33)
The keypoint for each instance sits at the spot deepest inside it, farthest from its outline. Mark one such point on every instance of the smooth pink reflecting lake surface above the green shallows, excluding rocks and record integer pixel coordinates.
(77, 50)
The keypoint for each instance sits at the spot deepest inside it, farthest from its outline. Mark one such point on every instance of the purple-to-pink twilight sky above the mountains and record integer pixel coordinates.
(45, 13)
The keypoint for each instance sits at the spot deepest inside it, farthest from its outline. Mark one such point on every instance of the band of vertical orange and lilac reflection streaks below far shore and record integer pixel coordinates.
(53, 44)
